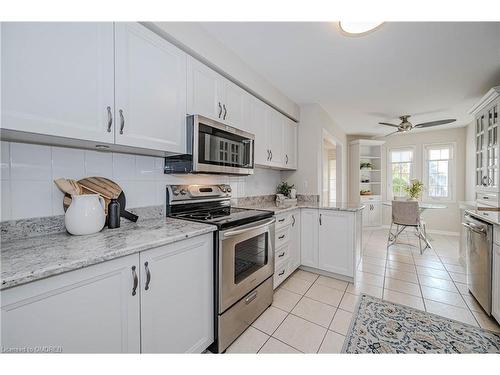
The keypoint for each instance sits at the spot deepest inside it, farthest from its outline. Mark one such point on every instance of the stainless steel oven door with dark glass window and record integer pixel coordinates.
(246, 259)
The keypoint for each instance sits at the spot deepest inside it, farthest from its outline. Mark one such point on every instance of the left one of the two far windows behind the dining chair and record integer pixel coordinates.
(401, 170)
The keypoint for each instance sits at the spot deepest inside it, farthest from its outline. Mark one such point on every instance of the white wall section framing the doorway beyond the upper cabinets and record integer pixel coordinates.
(314, 120)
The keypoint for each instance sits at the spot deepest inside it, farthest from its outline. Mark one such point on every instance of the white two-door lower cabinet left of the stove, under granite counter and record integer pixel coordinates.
(106, 308)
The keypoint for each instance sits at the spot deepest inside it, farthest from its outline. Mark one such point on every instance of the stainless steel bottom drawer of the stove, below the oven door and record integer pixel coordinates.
(237, 319)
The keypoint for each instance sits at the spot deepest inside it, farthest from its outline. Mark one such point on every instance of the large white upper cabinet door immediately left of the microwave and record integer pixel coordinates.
(150, 90)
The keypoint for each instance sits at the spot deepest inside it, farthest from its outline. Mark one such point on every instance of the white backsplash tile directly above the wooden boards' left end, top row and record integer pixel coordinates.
(68, 163)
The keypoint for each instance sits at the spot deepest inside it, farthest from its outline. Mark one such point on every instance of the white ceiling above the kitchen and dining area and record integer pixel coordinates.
(430, 70)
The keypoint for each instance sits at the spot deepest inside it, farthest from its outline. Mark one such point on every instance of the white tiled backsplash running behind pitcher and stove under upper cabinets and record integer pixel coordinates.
(28, 171)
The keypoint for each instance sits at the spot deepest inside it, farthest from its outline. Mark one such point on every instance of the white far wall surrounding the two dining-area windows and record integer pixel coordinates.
(448, 219)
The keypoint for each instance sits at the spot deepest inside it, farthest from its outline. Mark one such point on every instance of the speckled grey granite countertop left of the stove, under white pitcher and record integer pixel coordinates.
(29, 259)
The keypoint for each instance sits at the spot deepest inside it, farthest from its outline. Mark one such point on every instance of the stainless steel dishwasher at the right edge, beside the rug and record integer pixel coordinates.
(479, 254)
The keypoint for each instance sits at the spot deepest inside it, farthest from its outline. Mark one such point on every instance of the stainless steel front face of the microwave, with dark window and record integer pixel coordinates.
(220, 148)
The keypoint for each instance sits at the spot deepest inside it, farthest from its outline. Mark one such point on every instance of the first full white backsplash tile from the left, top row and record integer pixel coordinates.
(30, 162)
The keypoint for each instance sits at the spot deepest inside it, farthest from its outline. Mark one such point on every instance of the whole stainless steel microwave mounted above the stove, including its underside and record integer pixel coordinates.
(213, 147)
